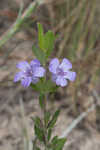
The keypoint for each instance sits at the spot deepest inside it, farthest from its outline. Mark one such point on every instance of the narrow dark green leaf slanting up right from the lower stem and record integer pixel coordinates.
(54, 119)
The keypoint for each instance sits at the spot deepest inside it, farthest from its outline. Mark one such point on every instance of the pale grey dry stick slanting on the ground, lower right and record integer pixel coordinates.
(77, 121)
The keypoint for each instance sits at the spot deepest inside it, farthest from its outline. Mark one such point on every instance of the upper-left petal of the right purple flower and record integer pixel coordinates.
(53, 65)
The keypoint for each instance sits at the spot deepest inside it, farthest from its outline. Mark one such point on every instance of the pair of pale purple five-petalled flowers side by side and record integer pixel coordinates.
(30, 73)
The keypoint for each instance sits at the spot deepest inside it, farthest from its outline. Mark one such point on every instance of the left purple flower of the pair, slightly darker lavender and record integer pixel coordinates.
(30, 73)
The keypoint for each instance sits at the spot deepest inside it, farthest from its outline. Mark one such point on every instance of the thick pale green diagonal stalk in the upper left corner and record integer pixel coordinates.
(16, 26)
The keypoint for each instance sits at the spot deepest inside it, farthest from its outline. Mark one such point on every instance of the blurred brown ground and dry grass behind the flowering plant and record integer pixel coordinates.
(77, 23)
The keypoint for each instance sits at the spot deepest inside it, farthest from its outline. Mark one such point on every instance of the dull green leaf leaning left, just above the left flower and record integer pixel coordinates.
(40, 55)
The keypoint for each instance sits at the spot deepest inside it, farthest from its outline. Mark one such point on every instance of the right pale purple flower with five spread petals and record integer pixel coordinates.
(60, 71)
